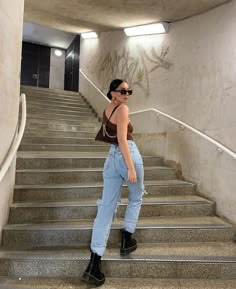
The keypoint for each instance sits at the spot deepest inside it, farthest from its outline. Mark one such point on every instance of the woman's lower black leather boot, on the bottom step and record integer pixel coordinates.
(92, 274)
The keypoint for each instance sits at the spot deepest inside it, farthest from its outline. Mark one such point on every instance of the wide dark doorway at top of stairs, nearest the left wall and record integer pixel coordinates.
(35, 65)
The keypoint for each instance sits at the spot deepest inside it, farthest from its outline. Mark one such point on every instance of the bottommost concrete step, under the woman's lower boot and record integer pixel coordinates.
(115, 283)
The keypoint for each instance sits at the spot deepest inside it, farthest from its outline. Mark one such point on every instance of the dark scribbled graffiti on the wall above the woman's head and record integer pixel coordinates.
(135, 70)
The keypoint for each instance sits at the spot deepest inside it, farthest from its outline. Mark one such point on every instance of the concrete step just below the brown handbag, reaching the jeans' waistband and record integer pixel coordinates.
(63, 147)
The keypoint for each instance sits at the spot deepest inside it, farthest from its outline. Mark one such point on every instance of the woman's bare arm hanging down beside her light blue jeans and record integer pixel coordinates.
(122, 121)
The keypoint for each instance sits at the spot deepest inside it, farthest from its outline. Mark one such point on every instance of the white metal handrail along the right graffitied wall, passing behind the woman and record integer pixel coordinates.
(220, 148)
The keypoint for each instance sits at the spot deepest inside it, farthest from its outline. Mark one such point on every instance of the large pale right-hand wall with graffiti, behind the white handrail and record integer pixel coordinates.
(190, 74)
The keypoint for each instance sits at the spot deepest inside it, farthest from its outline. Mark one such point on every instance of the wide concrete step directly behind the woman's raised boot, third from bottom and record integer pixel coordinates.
(149, 230)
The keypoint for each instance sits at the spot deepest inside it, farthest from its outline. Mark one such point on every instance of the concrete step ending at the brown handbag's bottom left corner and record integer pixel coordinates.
(57, 140)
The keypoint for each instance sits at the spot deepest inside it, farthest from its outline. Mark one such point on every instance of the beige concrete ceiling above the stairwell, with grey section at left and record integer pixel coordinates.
(46, 21)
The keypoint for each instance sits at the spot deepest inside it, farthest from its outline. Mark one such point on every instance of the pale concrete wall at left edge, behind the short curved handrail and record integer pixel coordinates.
(11, 19)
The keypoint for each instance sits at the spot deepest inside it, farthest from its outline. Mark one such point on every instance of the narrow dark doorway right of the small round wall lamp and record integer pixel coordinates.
(72, 65)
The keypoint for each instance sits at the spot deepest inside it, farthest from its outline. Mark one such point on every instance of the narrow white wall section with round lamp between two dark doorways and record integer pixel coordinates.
(57, 70)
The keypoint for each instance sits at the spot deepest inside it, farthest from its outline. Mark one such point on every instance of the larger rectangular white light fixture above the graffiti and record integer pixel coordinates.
(161, 27)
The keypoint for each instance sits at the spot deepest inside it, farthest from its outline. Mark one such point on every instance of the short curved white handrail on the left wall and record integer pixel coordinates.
(17, 139)
